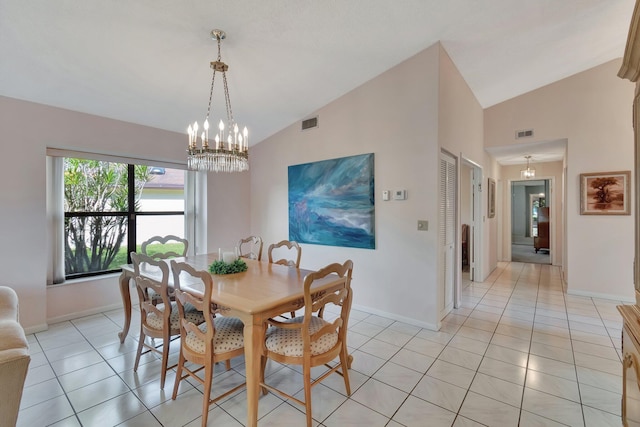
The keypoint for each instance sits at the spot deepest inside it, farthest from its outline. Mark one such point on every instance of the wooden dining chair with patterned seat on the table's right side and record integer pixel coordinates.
(310, 340)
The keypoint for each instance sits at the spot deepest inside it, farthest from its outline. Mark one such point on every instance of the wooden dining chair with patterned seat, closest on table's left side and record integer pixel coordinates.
(218, 339)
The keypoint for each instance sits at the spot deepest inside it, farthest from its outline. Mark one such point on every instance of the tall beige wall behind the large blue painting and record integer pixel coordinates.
(395, 116)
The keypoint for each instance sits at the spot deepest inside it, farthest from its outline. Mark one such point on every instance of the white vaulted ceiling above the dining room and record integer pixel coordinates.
(147, 61)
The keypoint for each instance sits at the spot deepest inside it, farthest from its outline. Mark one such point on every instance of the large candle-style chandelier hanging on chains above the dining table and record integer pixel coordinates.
(229, 151)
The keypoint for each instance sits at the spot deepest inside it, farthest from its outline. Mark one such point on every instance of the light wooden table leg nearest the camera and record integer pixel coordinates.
(253, 336)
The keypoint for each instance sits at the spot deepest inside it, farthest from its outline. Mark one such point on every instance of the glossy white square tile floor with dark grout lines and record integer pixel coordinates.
(518, 352)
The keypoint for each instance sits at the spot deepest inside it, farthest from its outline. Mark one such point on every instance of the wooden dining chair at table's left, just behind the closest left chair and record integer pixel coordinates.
(157, 319)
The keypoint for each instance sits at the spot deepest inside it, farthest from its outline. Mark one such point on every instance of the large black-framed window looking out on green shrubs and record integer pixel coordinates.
(111, 208)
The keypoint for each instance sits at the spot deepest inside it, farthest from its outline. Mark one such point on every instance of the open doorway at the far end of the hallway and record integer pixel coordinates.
(530, 221)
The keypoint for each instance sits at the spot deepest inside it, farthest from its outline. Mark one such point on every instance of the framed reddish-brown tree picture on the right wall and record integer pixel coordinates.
(605, 193)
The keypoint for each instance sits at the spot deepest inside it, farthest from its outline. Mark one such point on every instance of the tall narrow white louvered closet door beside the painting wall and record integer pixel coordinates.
(447, 230)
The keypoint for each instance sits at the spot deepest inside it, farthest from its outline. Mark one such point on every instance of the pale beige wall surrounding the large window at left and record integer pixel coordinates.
(26, 130)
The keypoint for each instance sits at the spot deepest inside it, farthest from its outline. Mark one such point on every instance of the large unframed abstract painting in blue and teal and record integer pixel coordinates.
(331, 202)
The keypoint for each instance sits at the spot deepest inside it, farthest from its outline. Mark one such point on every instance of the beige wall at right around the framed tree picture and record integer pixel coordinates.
(592, 111)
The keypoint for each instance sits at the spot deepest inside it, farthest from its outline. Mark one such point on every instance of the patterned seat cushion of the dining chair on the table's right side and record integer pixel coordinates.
(288, 342)
